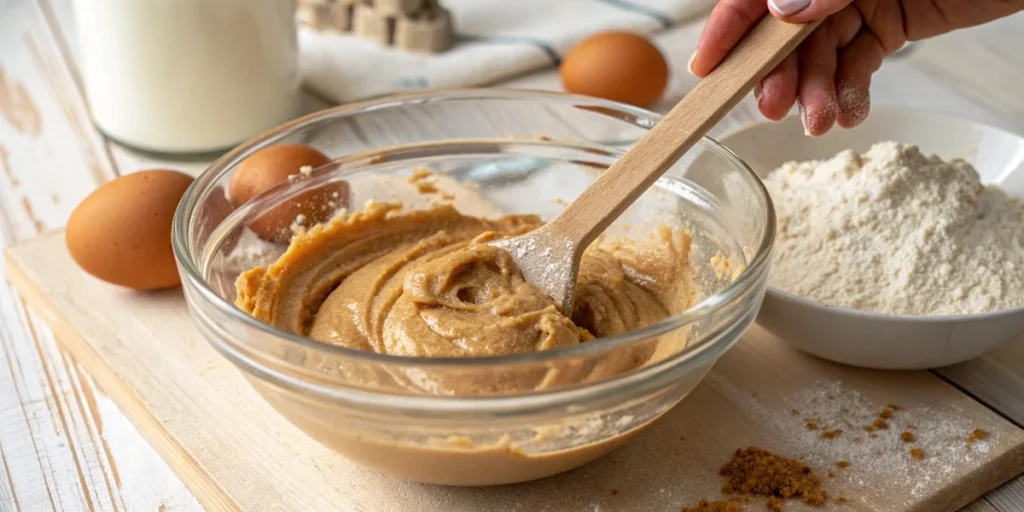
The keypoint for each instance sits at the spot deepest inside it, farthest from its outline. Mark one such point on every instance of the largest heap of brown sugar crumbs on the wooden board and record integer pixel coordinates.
(756, 472)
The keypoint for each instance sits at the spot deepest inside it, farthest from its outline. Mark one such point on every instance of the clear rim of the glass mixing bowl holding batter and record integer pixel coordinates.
(184, 226)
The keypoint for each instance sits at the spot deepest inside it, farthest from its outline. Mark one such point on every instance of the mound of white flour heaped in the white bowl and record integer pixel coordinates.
(897, 232)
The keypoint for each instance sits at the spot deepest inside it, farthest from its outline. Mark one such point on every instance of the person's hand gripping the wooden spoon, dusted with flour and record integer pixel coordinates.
(830, 74)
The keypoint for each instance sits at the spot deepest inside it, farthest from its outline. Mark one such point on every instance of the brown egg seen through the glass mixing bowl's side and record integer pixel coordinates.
(271, 166)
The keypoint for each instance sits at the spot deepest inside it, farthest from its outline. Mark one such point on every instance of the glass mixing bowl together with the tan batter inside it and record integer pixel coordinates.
(394, 334)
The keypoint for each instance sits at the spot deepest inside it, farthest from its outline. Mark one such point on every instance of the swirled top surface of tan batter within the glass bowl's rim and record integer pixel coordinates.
(426, 284)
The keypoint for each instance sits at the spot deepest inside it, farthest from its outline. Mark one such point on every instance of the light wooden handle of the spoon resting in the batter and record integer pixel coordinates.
(759, 53)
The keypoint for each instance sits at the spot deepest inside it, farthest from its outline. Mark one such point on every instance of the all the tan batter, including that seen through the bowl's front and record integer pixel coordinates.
(425, 284)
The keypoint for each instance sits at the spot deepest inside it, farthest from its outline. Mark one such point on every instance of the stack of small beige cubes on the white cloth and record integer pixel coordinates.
(411, 25)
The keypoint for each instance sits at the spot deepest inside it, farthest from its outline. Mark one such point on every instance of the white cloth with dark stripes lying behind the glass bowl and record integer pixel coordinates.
(496, 40)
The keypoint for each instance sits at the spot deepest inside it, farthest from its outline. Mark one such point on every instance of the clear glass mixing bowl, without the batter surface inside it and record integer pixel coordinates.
(497, 152)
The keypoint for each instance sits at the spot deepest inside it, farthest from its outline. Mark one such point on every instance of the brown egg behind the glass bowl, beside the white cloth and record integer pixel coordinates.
(617, 66)
